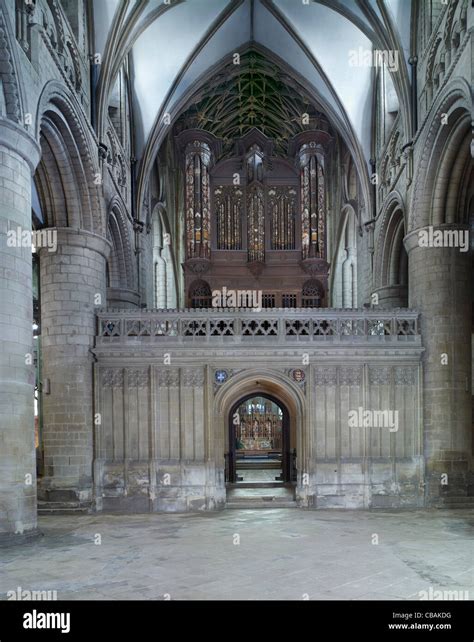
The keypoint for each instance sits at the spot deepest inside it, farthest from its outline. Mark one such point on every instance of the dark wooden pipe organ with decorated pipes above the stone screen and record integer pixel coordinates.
(256, 220)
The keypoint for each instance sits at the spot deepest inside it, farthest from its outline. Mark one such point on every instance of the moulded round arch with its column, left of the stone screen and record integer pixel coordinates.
(73, 281)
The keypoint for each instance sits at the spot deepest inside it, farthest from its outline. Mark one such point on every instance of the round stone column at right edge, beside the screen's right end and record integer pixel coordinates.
(440, 288)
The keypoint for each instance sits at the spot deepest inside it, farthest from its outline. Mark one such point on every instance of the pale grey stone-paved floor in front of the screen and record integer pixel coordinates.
(247, 554)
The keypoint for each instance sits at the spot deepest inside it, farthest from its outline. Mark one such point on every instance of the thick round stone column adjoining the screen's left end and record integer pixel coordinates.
(73, 286)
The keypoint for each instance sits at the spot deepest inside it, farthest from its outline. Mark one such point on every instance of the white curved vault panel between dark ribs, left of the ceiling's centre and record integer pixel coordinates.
(162, 50)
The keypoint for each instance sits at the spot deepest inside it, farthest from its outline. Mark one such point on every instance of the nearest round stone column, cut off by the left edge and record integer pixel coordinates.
(19, 155)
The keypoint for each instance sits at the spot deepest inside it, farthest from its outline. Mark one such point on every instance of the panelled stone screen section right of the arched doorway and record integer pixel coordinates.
(365, 466)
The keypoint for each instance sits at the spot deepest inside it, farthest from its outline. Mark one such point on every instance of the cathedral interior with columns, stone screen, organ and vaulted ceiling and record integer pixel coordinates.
(236, 273)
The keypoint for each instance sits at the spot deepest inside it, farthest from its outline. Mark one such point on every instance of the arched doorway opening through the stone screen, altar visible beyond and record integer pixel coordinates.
(259, 441)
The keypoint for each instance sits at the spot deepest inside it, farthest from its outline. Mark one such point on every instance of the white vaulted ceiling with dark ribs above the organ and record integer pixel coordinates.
(174, 47)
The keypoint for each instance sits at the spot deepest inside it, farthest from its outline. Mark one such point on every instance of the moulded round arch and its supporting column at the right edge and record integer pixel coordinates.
(439, 206)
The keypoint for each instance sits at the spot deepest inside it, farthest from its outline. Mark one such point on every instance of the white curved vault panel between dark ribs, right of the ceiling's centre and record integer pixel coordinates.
(321, 28)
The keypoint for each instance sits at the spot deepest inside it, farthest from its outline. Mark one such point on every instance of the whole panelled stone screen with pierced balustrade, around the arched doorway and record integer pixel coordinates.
(162, 428)
